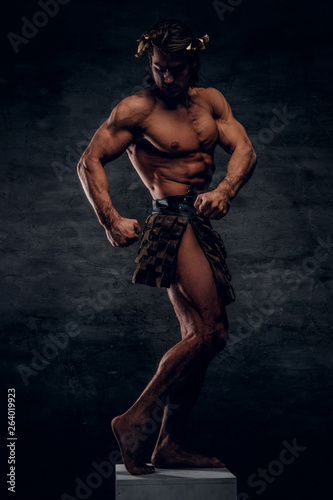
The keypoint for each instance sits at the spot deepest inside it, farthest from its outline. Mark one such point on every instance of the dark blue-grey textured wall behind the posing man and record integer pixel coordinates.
(63, 283)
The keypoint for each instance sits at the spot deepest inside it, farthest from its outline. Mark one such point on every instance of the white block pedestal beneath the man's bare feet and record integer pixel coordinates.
(176, 484)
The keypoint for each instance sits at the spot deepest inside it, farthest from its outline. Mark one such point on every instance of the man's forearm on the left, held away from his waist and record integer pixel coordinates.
(96, 187)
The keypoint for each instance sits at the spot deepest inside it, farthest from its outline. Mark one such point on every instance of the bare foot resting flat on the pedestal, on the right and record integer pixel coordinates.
(172, 456)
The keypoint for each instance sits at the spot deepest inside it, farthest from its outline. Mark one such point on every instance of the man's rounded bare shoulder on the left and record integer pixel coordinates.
(133, 110)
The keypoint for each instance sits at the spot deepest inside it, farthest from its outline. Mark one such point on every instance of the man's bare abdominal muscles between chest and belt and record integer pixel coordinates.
(168, 175)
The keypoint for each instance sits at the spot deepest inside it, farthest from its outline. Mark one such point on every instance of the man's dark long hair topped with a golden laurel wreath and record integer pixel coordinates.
(172, 37)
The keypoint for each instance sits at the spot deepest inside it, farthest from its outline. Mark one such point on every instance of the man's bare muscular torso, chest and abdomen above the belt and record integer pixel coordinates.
(174, 149)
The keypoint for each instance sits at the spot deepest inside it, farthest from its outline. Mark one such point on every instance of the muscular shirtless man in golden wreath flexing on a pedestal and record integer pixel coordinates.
(170, 131)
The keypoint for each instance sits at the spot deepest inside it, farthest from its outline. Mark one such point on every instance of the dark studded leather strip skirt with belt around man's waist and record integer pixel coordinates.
(161, 237)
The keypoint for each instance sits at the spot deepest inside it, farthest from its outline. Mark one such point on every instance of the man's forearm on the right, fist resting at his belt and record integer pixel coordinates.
(240, 168)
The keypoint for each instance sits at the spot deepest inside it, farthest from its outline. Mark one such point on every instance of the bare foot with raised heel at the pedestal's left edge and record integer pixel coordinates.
(129, 440)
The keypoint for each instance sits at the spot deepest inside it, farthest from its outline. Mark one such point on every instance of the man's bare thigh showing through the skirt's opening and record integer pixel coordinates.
(193, 293)
